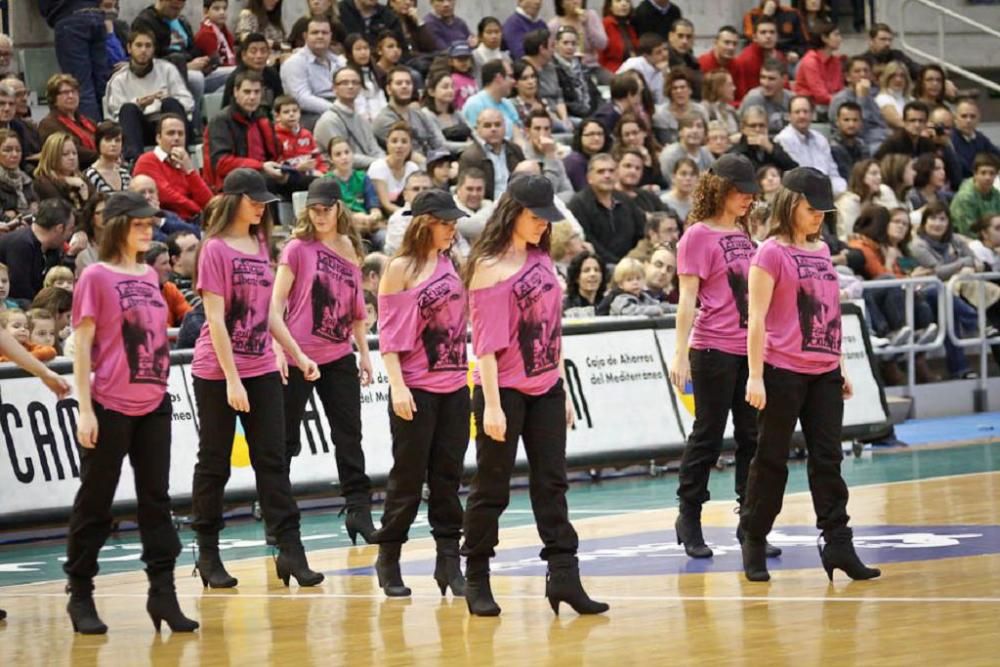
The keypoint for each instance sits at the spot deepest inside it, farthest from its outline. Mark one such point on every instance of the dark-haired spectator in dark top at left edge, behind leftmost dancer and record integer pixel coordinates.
(30, 251)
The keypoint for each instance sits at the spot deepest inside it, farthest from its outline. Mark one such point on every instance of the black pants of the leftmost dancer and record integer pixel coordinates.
(146, 442)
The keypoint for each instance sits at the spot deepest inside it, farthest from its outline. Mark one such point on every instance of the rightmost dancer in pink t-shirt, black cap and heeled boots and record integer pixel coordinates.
(797, 374)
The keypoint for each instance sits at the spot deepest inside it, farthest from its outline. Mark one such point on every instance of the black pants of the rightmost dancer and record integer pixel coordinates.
(817, 401)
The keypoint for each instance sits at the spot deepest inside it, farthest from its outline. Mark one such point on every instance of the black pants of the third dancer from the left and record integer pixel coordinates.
(339, 391)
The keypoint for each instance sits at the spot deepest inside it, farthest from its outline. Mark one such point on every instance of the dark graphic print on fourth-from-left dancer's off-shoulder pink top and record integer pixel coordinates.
(443, 340)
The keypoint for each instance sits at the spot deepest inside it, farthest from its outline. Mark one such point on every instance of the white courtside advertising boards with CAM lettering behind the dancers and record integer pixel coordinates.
(626, 412)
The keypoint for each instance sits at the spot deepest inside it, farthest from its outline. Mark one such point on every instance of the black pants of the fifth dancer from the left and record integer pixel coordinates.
(541, 422)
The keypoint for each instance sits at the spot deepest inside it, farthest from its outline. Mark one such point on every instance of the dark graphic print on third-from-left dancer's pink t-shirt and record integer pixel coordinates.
(333, 318)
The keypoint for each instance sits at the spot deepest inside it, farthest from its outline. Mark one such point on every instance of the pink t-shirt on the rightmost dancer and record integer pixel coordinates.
(803, 322)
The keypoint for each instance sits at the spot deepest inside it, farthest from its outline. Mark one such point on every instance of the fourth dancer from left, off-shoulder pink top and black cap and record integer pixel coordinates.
(422, 337)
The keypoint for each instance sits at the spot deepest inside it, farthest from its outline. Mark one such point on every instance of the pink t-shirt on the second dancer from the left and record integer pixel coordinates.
(244, 282)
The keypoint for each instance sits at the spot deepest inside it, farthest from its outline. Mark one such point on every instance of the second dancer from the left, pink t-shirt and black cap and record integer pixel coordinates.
(236, 375)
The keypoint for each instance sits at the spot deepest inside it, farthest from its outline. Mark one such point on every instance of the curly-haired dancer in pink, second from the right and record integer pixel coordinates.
(713, 260)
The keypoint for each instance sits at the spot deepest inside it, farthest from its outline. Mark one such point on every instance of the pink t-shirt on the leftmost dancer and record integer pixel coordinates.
(131, 353)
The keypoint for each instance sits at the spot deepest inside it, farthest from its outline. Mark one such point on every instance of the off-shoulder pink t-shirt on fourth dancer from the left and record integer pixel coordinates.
(427, 326)
